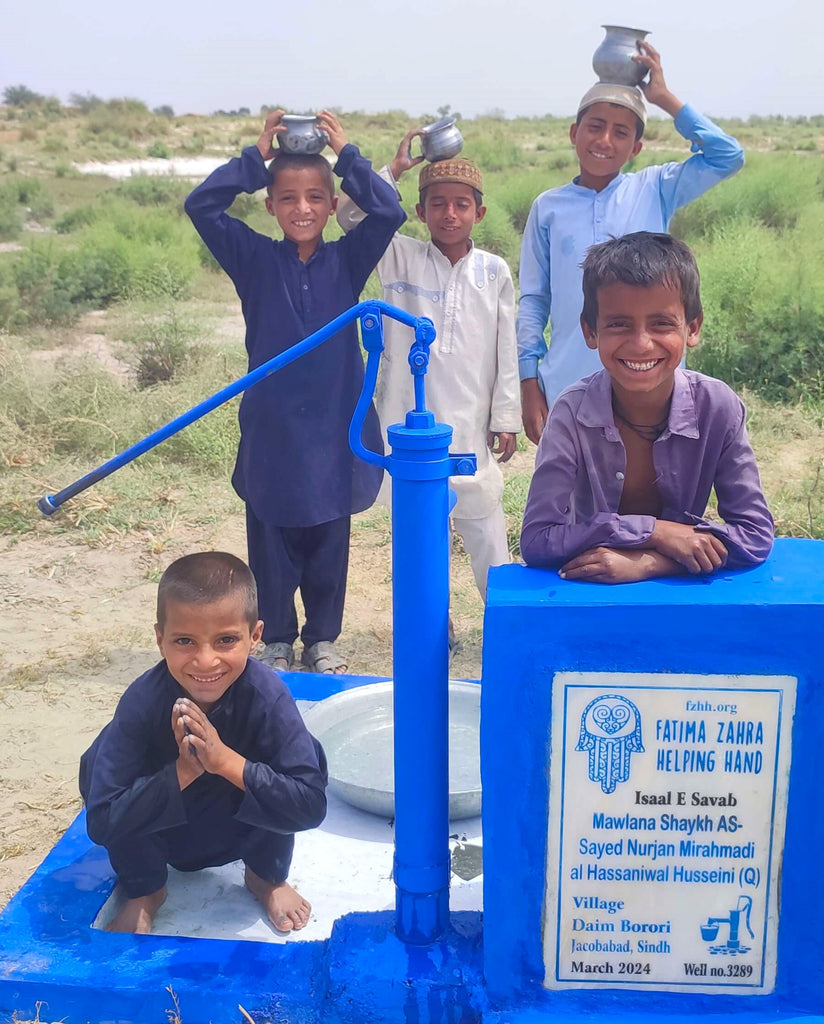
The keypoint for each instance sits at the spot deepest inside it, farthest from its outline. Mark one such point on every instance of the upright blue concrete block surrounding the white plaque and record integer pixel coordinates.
(768, 621)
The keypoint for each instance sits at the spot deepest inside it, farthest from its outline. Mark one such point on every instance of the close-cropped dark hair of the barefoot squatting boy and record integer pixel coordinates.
(205, 578)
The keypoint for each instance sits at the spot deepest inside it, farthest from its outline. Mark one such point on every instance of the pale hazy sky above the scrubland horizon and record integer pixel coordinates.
(728, 58)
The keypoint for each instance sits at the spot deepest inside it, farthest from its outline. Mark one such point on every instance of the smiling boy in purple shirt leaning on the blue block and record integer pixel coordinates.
(630, 455)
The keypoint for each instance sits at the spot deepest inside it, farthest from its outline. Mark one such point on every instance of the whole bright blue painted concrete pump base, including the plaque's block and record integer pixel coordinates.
(491, 971)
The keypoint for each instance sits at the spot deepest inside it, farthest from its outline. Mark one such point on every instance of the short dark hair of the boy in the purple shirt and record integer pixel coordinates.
(641, 260)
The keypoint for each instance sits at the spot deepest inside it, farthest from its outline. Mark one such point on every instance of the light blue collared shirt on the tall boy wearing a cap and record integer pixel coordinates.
(565, 223)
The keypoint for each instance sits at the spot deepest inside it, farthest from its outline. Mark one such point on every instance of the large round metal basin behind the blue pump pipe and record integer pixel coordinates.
(357, 730)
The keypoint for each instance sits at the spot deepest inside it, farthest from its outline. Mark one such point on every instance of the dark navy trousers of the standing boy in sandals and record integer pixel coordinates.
(313, 560)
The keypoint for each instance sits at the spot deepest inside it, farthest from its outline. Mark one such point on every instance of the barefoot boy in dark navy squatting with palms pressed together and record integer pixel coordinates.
(207, 759)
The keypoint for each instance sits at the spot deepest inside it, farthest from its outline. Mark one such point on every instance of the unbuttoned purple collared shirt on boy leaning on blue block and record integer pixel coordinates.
(577, 488)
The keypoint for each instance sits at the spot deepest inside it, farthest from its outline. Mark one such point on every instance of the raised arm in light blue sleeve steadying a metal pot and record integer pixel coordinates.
(717, 155)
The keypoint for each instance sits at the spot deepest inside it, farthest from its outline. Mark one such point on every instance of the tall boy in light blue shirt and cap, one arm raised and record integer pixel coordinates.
(602, 203)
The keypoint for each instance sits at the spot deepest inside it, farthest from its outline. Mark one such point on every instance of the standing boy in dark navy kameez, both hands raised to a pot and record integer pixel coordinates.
(295, 472)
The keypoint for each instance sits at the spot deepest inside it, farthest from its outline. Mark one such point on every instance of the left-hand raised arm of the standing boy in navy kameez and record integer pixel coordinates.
(230, 240)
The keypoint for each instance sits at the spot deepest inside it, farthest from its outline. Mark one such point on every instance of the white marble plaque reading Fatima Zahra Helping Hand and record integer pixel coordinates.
(668, 800)
